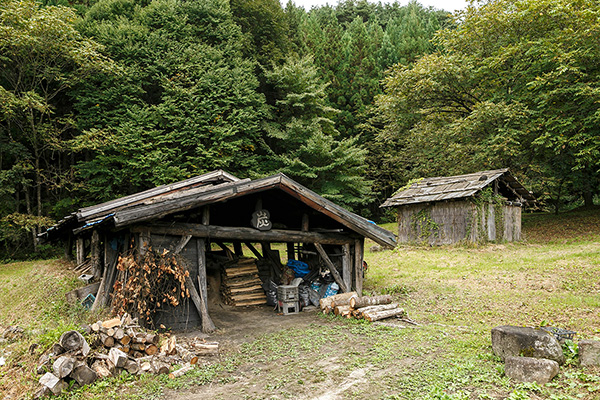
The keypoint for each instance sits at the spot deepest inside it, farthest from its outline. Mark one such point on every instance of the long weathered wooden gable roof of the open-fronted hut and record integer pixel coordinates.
(216, 186)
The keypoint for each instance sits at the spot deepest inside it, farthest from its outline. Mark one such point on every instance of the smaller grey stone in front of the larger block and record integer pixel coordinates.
(529, 369)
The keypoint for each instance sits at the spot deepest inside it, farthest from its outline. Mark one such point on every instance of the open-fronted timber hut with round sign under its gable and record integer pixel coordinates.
(233, 236)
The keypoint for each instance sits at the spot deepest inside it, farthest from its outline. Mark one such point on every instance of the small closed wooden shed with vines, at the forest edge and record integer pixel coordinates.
(482, 206)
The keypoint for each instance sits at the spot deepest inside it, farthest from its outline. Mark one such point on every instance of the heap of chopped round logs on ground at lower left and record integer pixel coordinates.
(117, 345)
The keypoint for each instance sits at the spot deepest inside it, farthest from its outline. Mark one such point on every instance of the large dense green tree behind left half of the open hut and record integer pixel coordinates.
(185, 103)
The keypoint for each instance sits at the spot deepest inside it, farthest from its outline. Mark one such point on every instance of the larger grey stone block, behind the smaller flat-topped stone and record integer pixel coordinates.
(515, 341)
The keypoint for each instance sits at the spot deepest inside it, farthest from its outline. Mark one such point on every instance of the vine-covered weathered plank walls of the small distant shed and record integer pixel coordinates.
(456, 221)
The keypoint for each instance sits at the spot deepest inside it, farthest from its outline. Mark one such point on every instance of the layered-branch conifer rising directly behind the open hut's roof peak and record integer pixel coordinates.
(302, 137)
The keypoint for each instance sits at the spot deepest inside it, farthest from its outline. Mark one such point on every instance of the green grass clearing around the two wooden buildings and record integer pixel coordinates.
(455, 293)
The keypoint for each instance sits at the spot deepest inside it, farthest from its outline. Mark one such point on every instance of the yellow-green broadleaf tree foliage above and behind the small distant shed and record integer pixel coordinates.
(516, 85)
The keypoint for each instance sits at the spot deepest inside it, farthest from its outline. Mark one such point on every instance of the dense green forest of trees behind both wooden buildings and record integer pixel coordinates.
(104, 98)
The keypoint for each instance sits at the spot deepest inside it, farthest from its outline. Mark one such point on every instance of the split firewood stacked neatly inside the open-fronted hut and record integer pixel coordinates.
(241, 285)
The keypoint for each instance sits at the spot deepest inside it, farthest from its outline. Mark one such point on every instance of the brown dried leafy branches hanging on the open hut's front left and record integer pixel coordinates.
(146, 283)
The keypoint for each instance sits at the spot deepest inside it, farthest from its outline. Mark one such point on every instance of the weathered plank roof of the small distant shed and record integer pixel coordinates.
(459, 186)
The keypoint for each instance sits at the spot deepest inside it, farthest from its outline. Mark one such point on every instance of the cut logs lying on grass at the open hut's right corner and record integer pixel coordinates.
(371, 308)
